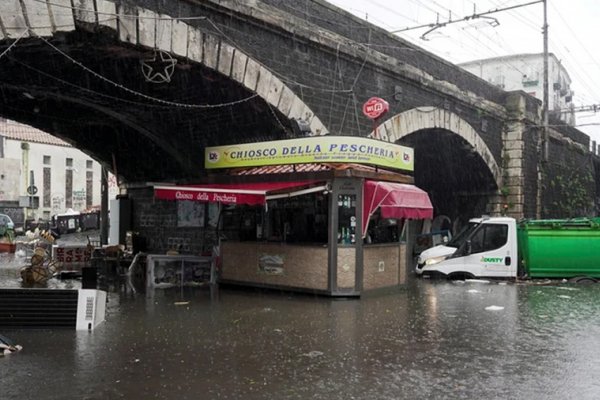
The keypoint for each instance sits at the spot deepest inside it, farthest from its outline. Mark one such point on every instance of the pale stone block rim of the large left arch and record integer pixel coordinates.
(143, 27)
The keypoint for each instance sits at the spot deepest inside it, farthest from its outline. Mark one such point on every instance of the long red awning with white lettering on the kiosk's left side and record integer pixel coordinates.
(236, 193)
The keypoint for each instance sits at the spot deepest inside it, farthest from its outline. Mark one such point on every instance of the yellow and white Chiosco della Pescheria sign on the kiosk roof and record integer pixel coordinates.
(317, 149)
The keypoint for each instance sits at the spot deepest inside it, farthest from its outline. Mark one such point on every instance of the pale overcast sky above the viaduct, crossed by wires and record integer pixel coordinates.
(574, 36)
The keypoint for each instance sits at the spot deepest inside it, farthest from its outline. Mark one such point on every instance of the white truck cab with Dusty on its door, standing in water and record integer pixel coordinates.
(489, 251)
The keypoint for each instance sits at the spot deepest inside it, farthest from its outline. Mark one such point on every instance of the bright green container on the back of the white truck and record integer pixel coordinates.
(560, 248)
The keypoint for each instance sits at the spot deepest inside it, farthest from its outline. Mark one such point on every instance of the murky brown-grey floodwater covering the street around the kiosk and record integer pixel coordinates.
(433, 339)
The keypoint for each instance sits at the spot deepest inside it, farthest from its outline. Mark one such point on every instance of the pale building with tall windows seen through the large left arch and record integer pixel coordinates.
(42, 176)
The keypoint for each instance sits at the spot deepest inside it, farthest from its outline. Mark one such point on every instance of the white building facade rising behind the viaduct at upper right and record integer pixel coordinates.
(526, 72)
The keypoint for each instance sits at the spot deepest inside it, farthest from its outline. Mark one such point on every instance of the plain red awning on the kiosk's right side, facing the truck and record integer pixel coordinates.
(396, 200)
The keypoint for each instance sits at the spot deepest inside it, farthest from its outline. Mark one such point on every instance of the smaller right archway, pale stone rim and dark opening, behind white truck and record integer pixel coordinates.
(452, 162)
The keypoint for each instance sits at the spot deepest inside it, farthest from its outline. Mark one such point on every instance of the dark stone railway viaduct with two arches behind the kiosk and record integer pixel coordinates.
(259, 70)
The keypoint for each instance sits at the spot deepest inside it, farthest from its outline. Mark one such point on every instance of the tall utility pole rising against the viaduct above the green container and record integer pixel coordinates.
(543, 140)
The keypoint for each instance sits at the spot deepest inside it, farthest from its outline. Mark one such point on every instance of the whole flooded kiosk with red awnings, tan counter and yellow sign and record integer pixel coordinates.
(334, 228)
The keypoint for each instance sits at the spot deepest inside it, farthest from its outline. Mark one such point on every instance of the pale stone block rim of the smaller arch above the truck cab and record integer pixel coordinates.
(420, 118)
